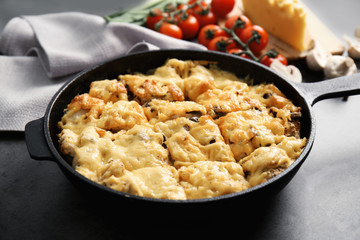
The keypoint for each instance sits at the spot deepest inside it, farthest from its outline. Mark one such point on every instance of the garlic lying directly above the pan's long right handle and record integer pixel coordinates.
(338, 66)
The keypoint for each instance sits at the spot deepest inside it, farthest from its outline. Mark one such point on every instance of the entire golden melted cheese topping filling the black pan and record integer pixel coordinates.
(188, 130)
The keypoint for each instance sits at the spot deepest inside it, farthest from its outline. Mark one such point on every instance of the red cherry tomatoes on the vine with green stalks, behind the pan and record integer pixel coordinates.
(186, 19)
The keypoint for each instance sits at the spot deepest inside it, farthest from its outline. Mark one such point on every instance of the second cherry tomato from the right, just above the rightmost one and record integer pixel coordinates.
(256, 46)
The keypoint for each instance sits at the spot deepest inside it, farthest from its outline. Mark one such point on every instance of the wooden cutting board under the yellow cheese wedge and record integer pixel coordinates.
(317, 30)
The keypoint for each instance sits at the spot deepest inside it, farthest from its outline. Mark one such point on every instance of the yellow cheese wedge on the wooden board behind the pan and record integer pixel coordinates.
(284, 19)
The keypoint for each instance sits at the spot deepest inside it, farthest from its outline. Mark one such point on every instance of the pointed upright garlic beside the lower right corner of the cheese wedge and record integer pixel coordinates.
(317, 57)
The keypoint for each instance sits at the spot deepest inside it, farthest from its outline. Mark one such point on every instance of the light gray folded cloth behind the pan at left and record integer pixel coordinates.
(41, 52)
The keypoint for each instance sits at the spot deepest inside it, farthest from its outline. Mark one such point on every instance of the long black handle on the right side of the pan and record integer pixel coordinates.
(336, 87)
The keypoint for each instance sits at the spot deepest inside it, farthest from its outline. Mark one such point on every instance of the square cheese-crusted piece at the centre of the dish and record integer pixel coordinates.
(190, 141)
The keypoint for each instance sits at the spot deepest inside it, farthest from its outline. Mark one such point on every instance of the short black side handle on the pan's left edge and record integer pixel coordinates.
(36, 142)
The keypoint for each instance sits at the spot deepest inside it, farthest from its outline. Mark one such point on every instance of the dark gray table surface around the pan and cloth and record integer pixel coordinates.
(321, 202)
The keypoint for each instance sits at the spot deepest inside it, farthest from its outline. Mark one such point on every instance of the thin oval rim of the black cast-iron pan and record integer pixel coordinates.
(60, 160)
